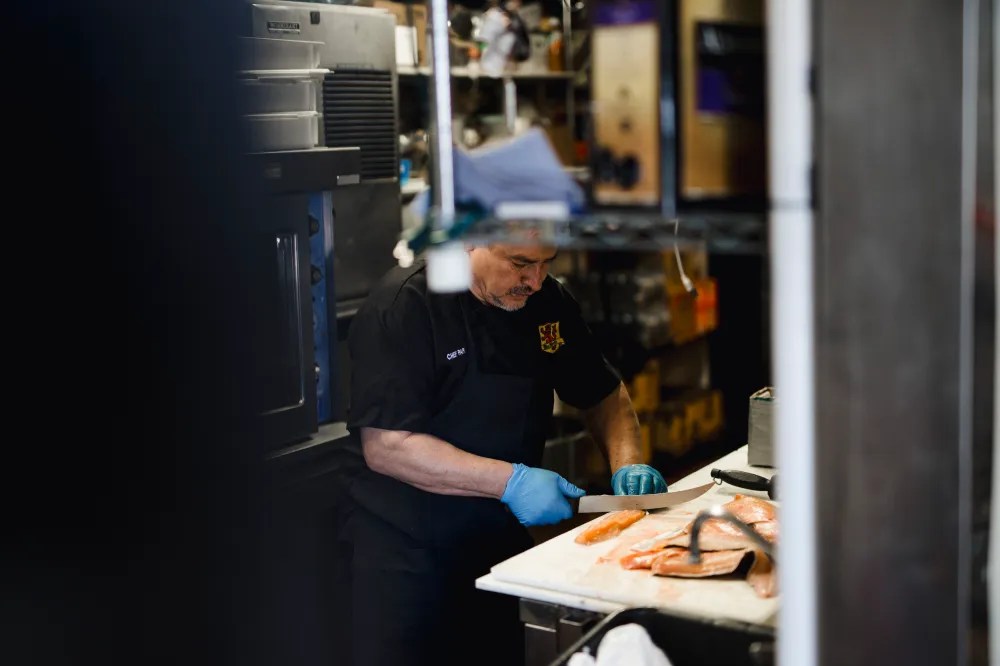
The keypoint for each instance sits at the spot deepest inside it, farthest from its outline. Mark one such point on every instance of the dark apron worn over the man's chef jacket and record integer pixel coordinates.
(416, 555)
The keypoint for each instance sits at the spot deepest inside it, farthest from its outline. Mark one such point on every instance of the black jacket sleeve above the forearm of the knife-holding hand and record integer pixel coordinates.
(392, 362)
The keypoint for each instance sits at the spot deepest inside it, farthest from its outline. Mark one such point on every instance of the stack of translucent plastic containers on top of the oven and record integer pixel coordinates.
(281, 82)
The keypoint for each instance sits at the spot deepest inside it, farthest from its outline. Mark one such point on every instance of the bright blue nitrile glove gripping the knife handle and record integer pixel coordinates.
(538, 496)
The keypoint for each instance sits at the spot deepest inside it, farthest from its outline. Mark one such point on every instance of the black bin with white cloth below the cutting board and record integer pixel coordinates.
(687, 640)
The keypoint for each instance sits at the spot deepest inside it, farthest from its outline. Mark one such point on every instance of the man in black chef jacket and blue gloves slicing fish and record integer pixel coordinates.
(450, 398)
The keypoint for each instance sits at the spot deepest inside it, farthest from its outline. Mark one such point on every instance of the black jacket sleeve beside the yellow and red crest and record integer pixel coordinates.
(583, 375)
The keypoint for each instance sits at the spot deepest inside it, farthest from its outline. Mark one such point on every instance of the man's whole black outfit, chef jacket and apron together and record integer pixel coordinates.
(482, 379)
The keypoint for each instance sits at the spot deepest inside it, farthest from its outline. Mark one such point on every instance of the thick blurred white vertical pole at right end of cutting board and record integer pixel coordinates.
(792, 346)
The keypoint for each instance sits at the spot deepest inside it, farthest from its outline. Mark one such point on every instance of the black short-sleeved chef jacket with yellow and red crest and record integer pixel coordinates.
(411, 348)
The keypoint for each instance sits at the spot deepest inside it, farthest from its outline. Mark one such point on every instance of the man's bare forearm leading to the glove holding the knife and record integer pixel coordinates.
(433, 464)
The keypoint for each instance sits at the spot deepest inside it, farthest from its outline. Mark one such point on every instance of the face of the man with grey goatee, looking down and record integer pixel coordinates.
(506, 275)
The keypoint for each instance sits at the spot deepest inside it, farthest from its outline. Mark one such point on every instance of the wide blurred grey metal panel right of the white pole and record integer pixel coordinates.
(892, 330)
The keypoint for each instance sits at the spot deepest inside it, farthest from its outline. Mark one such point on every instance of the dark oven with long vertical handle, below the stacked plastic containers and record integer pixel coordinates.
(284, 337)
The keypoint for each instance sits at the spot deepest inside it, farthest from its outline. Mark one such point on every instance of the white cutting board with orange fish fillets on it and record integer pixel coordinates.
(561, 565)
